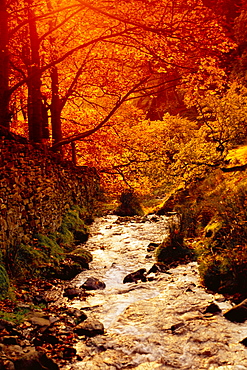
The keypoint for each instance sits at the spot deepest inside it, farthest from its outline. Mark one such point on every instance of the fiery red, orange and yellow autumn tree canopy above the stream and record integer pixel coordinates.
(136, 85)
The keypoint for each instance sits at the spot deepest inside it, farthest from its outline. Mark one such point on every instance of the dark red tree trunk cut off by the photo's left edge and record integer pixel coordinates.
(4, 67)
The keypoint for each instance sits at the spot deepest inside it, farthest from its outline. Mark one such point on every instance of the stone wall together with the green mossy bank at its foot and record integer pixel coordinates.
(45, 206)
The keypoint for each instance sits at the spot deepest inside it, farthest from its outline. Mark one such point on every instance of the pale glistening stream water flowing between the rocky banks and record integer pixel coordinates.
(158, 324)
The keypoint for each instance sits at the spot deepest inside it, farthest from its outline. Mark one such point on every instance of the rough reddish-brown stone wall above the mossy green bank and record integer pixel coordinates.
(36, 190)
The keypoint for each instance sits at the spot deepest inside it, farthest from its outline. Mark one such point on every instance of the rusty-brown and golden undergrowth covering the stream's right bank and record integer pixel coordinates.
(215, 214)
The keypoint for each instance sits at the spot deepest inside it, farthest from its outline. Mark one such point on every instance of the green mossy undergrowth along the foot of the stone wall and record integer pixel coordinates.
(45, 253)
